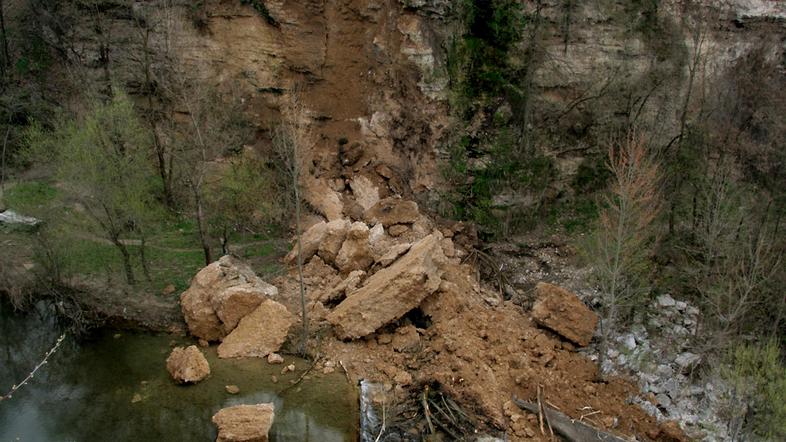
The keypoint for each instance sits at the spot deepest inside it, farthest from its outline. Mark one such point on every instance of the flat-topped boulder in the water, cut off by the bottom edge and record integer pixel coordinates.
(244, 423)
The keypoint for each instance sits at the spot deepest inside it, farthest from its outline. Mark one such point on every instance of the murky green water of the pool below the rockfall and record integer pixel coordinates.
(113, 386)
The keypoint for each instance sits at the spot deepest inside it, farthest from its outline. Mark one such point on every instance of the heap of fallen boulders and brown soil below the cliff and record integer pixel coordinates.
(394, 304)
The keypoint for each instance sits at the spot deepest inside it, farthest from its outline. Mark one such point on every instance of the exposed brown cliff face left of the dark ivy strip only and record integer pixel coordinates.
(370, 73)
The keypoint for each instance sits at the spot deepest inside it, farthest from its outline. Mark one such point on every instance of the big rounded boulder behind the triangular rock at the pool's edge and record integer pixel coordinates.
(205, 302)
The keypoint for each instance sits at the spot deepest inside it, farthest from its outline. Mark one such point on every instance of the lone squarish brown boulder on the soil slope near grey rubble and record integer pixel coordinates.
(563, 312)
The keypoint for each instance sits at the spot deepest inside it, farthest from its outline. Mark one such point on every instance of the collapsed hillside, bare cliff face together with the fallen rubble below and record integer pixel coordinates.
(374, 79)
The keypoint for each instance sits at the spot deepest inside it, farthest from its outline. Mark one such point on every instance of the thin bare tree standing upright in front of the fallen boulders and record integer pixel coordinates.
(291, 138)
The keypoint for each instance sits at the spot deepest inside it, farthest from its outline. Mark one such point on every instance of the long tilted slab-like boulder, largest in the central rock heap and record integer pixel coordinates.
(391, 292)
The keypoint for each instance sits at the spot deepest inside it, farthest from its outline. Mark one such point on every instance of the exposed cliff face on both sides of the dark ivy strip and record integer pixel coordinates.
(372, 73)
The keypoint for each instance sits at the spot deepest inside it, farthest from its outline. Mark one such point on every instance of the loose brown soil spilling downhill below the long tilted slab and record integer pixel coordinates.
(481, 355)
